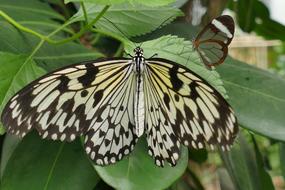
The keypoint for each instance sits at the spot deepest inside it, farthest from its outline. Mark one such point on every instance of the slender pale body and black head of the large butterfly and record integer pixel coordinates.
(139, 112)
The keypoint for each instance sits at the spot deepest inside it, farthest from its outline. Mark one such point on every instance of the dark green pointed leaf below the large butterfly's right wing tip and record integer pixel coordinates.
(246, 167)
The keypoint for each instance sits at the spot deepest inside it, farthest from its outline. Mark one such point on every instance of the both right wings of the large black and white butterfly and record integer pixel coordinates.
(183, 108)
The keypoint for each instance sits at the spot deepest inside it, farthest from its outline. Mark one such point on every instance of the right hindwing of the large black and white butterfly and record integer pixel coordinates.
(161, 139)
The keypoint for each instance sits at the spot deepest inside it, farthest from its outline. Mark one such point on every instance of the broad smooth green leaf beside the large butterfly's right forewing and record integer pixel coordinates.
(257, 96)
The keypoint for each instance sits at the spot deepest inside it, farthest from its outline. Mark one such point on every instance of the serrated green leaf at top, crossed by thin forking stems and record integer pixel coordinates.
(129, 20)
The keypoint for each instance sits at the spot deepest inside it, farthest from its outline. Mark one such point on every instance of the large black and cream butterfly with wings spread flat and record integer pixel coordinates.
(113, 102)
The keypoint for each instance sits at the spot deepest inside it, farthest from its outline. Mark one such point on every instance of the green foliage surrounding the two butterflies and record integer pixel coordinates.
(38, 36)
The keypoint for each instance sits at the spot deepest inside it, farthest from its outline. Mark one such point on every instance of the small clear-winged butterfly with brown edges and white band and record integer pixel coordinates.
(213, 41)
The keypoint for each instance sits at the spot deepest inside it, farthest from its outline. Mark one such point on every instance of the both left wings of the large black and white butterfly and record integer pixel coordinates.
(93, 99)
